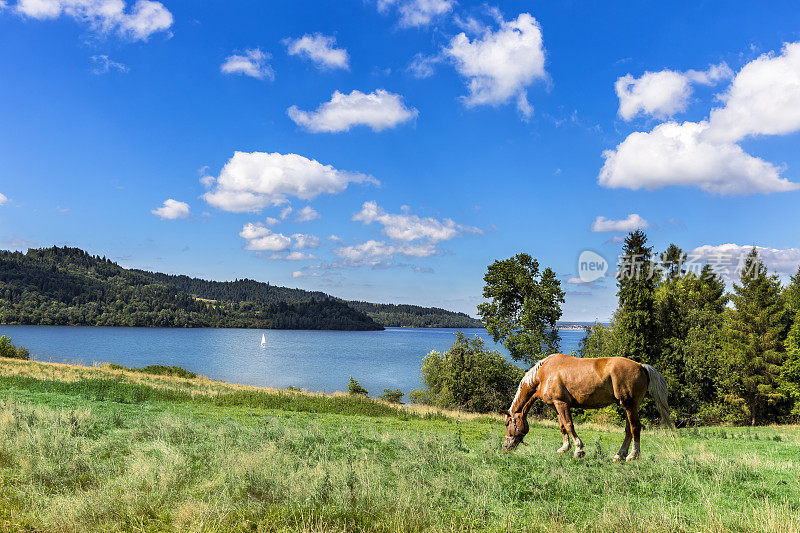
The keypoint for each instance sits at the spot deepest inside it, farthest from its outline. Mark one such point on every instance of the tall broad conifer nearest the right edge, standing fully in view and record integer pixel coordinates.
(755, 349)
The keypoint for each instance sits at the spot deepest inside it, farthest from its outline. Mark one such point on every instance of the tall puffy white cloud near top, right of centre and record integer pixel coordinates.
(501, 64)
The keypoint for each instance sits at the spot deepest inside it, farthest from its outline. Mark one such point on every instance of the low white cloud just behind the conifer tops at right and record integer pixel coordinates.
(728, 259)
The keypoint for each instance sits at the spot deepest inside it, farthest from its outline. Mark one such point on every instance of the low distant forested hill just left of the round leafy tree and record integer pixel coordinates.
(392, 315)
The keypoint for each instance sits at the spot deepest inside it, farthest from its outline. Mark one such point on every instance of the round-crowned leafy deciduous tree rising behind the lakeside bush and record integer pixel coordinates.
(523, 308)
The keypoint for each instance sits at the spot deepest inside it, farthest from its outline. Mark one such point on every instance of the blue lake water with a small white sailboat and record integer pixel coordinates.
(310, 360)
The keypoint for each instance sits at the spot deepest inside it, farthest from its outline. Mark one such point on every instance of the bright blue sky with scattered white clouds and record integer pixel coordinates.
(389, 150)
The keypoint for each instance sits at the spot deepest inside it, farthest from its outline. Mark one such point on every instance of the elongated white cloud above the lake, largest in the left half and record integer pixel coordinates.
(252, 181)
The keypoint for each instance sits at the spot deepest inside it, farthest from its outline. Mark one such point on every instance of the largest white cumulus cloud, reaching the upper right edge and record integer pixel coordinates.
(763, 99)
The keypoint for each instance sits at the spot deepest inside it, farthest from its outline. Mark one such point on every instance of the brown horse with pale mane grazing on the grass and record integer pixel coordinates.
(563, 382)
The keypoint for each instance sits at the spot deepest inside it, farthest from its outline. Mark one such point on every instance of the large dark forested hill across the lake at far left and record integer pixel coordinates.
(67, 286)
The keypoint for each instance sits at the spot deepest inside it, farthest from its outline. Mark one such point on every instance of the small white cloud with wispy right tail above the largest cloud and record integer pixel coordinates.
(664, 93)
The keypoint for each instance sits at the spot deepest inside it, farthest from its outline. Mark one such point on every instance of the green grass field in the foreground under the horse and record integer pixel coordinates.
(101, 449)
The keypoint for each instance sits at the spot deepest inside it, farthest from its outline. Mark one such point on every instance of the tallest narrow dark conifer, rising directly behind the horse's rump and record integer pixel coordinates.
(636, 282)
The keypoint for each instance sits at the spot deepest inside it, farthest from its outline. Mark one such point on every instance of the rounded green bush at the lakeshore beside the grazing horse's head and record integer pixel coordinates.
(468, 377)
